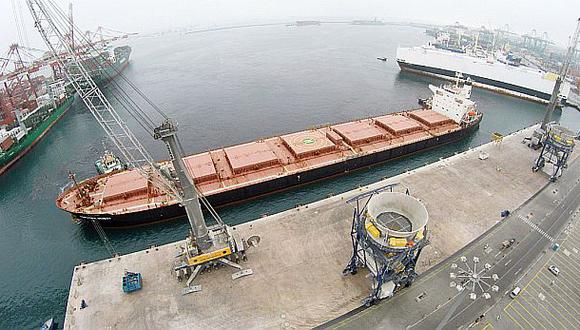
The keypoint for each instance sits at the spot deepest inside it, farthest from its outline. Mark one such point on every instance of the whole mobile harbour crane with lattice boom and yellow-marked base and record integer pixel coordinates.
(205, 246)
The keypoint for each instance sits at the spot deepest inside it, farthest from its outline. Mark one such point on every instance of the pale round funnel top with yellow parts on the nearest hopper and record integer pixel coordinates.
(398, 219)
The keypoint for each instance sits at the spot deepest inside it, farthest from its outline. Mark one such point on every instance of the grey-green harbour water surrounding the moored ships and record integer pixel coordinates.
(223, 87)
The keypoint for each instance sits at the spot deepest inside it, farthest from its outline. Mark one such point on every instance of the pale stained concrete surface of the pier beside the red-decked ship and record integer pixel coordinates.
(297, 281)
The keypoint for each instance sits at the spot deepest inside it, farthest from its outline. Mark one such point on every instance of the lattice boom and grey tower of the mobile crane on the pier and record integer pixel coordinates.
(53, 26)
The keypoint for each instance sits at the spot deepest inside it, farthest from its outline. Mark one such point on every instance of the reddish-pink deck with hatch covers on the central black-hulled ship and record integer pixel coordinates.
(246, 164)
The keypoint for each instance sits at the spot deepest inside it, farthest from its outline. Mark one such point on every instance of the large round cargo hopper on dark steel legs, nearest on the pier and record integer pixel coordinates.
(388, 233)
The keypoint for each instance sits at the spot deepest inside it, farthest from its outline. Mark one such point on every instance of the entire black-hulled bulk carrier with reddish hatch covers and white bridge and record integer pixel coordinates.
(237, 173)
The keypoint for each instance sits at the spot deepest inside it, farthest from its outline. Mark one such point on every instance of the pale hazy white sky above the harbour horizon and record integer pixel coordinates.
(556, 17)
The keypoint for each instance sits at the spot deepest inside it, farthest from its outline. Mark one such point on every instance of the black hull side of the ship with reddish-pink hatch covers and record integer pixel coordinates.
(238, 195)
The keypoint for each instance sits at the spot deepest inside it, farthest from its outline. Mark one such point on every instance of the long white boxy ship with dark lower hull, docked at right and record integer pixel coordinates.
(496, 72)
